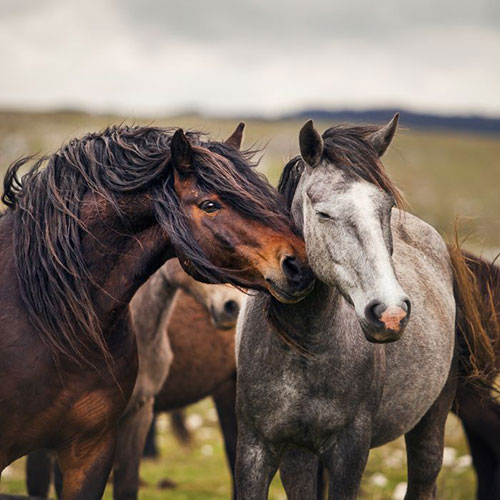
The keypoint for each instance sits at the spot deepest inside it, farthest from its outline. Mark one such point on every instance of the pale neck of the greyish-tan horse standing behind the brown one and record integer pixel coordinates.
(152, 304)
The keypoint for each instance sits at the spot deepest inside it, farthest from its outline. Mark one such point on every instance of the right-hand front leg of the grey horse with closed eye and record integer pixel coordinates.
(346, 460)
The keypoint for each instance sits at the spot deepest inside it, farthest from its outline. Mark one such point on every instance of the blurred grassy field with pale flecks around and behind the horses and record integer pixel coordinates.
(442, 175)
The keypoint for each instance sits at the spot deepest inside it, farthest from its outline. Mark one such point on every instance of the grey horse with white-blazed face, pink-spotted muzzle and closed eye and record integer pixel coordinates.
(320, 378)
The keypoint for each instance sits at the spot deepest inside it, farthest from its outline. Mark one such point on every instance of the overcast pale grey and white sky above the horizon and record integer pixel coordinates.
(258, 56)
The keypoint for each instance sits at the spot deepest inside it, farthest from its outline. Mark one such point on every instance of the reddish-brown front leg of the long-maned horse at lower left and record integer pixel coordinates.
(85, 465)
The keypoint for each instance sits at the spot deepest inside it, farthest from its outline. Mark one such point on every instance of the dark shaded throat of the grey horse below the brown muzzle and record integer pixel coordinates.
(303, 322)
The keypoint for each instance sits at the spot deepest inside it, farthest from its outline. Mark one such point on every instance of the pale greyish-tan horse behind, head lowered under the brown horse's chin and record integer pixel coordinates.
(152, 311)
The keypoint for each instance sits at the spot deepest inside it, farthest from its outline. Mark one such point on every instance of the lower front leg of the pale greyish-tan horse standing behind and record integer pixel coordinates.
(131, 438)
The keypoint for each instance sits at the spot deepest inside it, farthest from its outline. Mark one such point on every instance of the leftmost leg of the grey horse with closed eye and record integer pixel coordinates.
(256, 465)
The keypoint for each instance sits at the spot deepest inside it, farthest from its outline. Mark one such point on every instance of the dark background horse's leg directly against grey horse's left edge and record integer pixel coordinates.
(225, 400)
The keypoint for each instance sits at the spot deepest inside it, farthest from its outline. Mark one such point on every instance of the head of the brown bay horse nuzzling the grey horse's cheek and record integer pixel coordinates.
(230, 224)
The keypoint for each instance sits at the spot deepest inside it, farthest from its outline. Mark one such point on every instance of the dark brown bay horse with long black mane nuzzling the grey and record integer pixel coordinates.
(83, 230)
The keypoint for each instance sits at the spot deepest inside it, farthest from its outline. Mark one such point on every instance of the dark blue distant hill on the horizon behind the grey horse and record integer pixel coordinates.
(471, 123)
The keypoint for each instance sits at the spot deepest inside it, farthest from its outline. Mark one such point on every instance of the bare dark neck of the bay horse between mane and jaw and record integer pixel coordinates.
(121, 253)
